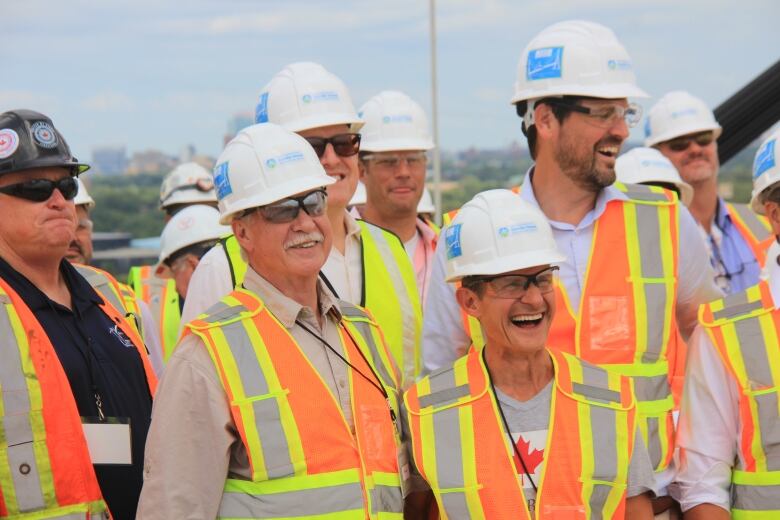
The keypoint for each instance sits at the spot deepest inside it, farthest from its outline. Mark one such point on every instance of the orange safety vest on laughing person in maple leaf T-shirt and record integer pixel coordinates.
(460, 446)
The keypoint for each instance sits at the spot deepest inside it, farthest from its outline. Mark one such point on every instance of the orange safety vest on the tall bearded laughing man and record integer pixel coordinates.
(626, 318)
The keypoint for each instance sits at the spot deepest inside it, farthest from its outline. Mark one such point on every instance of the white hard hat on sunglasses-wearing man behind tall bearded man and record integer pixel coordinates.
(678, 113)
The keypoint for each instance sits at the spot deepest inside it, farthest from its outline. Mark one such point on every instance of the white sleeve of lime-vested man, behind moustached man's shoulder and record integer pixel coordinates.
(210, 281)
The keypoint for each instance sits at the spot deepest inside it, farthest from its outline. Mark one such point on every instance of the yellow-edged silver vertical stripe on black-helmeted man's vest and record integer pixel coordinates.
(21, 427)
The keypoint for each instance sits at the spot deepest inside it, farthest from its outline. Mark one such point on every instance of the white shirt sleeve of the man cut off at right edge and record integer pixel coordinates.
(708, 428)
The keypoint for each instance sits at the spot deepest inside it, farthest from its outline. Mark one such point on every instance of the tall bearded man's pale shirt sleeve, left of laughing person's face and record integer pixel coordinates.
(444, 338)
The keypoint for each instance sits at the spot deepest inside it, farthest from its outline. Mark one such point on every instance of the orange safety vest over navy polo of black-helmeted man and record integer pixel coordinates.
(45, 467)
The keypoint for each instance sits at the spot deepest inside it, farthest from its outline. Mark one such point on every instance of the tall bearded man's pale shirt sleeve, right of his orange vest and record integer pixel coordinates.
(696, 279)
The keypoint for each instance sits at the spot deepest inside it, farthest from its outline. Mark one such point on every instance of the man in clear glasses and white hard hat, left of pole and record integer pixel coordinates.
(393, 165)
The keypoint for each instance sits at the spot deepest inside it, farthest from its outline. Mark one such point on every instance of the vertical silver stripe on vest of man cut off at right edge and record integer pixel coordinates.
(757, 367)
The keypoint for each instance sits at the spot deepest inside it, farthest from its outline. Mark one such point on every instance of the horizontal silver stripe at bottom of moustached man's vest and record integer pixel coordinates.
(304, 503)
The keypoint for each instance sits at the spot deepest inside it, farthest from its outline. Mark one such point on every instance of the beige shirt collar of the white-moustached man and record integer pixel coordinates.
(284, 308)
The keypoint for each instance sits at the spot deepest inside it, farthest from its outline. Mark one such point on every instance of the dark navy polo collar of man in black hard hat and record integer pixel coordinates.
(82, 294)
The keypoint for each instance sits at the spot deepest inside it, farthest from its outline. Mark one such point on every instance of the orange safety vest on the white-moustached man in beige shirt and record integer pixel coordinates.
(304, 458)
